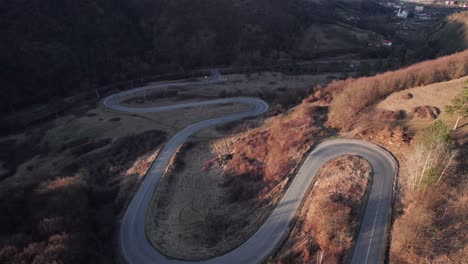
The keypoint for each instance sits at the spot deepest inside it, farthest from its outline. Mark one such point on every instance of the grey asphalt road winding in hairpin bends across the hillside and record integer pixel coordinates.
(370, 245)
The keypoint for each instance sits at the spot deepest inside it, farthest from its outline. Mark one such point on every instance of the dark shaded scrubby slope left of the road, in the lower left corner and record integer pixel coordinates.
(67, 182)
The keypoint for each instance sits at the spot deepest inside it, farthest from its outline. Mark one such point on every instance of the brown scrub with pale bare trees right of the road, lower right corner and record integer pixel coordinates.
(432, 227)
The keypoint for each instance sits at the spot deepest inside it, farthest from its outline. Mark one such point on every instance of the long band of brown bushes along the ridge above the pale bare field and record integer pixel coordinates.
(353, 95)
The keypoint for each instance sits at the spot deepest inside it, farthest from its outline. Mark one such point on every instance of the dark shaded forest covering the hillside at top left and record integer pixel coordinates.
(57, 48)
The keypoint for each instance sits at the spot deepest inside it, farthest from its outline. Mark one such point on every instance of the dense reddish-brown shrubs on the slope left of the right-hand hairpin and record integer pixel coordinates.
(263, 157)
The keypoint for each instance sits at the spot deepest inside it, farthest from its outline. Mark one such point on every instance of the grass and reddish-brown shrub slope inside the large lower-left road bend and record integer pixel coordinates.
(227, 188)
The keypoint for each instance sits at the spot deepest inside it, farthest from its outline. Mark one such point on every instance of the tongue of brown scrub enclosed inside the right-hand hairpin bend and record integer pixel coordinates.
(328, 220)
